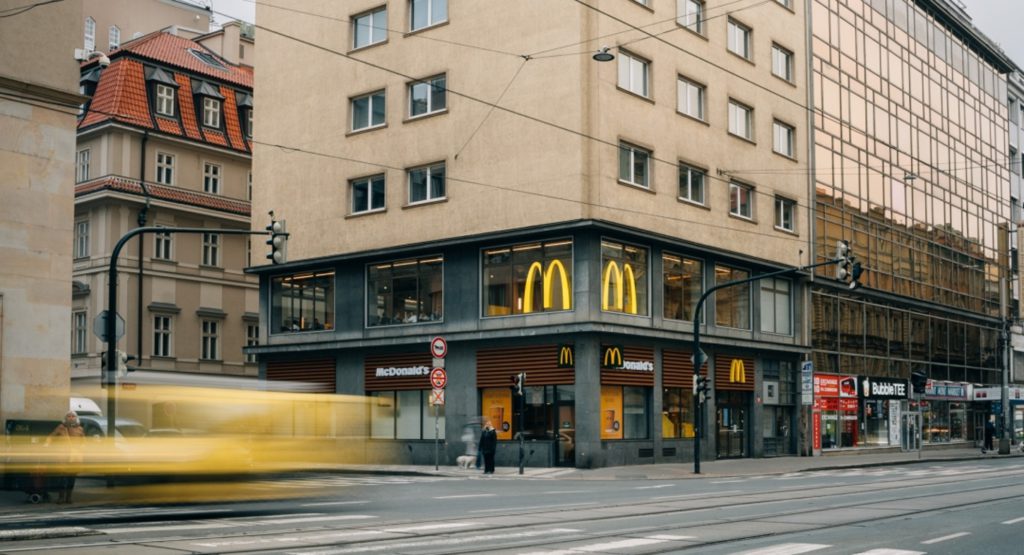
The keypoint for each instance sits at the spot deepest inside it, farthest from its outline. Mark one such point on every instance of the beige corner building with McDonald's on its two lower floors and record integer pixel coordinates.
(484, 178)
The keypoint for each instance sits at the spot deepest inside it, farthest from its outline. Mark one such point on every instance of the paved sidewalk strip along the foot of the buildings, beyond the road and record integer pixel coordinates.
(92, 491)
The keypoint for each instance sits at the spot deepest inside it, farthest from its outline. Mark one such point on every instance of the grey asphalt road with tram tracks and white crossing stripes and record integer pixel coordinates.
(952, 508)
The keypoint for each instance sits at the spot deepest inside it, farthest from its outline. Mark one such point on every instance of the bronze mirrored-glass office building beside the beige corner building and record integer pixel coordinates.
(911, 132)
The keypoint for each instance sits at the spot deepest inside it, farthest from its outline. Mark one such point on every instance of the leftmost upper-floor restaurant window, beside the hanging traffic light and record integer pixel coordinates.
(303, 303)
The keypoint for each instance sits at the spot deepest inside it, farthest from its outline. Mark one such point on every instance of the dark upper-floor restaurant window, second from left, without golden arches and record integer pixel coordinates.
(406, 292)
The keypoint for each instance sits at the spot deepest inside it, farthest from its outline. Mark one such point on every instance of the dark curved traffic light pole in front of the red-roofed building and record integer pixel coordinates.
(110, 378)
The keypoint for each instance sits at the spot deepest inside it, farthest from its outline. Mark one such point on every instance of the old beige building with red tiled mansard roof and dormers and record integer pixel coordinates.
(165, 141)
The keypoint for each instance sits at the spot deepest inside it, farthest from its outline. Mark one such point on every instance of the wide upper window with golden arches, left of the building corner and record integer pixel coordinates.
(529, 278)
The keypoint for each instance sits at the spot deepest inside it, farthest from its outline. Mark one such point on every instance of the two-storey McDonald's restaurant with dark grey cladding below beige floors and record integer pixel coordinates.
(598, 317)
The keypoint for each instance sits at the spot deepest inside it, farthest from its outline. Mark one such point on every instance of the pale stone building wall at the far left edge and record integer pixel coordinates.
(38, 106)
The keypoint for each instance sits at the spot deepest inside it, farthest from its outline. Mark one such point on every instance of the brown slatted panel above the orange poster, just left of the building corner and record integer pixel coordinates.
(495, 368)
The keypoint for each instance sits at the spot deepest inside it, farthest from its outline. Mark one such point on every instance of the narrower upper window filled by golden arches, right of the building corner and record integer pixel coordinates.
(624, 279)
